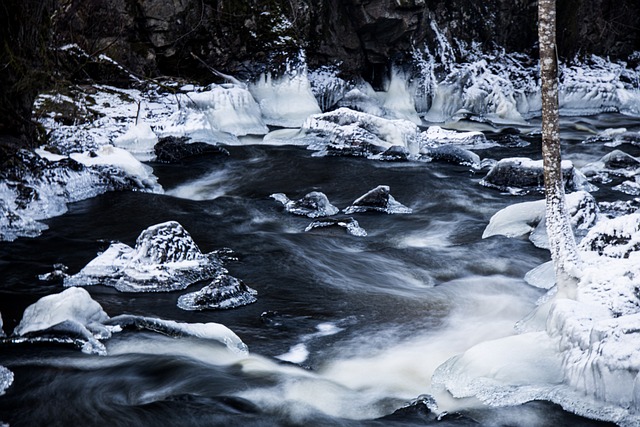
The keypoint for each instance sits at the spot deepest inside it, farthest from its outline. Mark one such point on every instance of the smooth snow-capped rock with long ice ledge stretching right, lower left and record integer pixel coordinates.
(73, 317)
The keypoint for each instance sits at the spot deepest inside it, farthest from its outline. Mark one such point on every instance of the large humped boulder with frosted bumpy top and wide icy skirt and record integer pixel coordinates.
(165, 258)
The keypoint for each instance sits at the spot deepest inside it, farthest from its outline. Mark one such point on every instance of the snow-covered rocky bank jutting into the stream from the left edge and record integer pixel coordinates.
(38, 188)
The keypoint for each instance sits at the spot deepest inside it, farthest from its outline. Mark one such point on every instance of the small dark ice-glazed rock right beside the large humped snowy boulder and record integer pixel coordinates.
(224, 292)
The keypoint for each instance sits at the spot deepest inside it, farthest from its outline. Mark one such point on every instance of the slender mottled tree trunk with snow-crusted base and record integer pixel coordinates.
(561, 240)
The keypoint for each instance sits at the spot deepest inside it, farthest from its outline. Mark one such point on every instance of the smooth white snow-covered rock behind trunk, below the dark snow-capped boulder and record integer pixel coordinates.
(529, 217)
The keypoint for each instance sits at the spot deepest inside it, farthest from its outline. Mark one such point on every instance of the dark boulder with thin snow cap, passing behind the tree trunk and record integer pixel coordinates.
(520, 175)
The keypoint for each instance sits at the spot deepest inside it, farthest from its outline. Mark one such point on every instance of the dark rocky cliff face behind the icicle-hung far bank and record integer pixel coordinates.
(155, 37)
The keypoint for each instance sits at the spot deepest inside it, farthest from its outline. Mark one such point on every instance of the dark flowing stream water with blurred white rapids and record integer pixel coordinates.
(346, 329)
